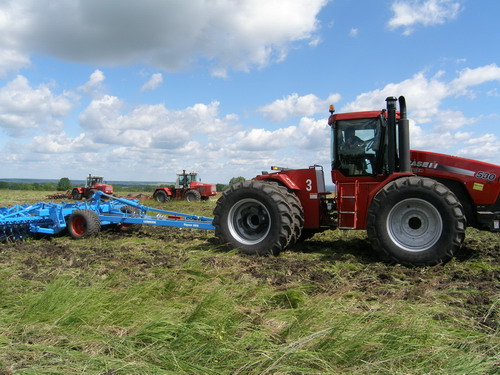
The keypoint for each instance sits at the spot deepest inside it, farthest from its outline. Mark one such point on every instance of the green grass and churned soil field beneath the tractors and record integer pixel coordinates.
(170, 301)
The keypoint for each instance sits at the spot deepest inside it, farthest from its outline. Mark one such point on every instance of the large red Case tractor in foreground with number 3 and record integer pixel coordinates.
(415, 205)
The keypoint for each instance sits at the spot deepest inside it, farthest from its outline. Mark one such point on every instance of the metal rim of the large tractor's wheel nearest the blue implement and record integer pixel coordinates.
(249, 221)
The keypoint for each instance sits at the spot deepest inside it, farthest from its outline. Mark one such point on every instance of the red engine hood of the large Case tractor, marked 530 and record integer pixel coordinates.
(481, 180)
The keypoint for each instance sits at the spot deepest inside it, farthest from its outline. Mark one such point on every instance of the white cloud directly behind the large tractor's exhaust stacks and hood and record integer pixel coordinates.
(432, 127)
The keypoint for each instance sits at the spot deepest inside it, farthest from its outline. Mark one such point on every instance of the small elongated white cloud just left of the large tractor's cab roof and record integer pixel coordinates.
(297, 106)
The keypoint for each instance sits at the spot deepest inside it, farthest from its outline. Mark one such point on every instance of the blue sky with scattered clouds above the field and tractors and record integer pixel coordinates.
(139, 90)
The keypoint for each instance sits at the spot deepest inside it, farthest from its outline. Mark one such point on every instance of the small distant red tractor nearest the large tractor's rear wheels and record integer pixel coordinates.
(187, 186)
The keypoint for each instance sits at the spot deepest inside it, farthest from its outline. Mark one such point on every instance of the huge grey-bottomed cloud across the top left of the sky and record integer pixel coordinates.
(230, 35)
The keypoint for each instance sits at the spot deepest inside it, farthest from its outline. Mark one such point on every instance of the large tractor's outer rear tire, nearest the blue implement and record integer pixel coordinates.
(254, 217)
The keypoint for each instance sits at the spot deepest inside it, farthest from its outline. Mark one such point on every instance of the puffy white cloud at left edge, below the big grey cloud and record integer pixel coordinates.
(24, 108)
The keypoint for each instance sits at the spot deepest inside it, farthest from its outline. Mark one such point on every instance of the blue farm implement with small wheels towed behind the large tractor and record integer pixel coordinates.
(85, 219)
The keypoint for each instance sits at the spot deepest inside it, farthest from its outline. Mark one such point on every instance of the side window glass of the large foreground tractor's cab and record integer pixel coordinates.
(355, 146)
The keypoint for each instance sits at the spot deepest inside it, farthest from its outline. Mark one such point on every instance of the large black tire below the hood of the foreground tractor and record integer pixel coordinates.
(416, 221)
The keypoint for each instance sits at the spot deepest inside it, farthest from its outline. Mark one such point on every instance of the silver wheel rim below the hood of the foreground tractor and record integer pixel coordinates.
(414, 224)
